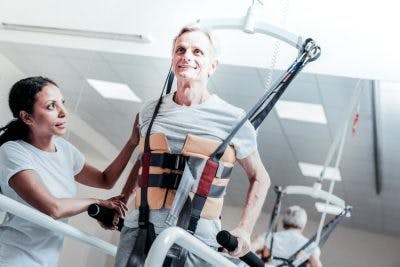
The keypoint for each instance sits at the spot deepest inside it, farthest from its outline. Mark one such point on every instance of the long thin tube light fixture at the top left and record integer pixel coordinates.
(75, 32)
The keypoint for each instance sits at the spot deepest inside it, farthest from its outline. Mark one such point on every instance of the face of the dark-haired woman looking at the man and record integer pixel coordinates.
(49, 116)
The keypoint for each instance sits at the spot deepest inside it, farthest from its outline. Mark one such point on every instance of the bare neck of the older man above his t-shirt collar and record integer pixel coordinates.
(190, 93)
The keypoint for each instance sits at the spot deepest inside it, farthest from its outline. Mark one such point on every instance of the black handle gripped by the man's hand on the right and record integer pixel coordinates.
(229, 242)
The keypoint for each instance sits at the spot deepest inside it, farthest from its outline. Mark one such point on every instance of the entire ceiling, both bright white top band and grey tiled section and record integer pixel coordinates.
(355, 40)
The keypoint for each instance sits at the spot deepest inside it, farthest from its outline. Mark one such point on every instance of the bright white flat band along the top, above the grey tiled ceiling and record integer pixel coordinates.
(356, 37)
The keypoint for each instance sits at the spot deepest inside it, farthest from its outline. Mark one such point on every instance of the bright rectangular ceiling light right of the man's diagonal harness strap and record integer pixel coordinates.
(301, 111)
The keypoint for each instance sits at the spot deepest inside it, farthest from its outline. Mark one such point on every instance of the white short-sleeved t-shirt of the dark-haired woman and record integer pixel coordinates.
(23, 243)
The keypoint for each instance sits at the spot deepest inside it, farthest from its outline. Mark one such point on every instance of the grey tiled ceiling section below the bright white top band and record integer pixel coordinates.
(282, 143)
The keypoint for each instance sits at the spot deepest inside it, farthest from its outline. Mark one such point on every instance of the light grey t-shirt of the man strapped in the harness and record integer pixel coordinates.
(213, 119)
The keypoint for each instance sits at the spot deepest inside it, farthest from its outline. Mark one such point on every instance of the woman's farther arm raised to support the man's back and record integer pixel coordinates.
(91, 176)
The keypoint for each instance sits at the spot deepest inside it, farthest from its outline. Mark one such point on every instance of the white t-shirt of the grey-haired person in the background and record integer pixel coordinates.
(286, 243)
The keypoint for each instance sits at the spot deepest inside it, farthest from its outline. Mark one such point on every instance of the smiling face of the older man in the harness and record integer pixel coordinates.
(192, 57)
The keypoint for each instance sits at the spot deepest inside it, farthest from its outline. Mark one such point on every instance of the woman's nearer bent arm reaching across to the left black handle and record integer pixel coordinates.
(28, 186)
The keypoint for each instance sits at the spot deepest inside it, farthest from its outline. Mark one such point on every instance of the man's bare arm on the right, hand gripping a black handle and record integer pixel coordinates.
(259, 183)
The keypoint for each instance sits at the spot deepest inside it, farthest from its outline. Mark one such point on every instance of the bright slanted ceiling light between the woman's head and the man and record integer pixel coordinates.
(114, 90)
